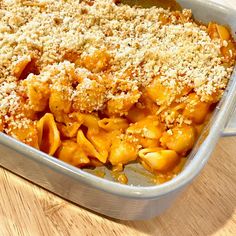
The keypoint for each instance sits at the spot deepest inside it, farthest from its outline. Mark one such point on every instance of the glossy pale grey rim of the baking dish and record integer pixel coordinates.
(219, 120)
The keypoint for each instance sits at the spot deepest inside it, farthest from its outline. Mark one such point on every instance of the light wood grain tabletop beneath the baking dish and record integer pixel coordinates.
(207, 207)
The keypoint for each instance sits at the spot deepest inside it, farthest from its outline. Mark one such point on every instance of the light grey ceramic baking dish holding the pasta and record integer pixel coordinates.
(113, 199)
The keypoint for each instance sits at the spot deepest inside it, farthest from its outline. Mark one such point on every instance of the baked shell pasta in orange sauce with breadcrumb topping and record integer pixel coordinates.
(94, 83)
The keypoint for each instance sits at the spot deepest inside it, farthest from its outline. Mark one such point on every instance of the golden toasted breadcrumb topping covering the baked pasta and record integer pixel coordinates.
(135, 48)
